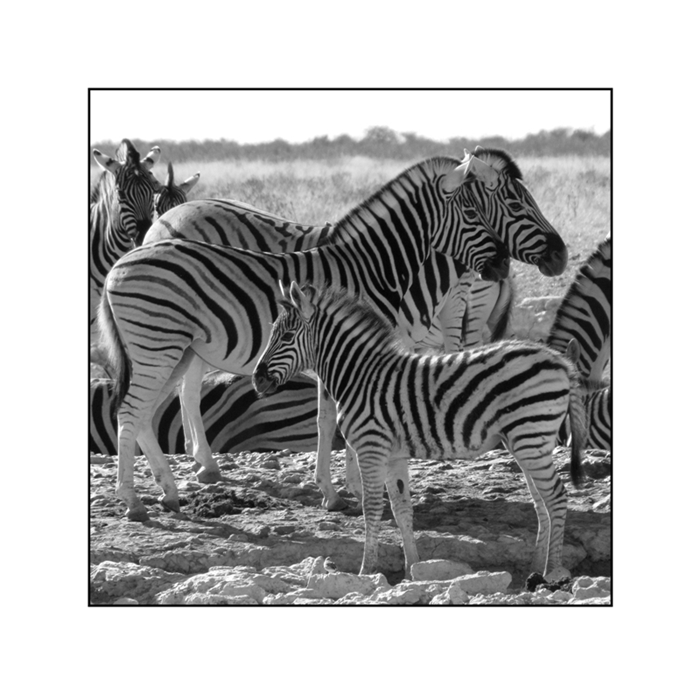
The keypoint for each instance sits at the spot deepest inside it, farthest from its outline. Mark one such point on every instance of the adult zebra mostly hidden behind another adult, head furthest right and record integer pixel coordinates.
(431, 313)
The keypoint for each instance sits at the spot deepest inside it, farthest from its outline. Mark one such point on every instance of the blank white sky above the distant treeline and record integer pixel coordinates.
(296, 116)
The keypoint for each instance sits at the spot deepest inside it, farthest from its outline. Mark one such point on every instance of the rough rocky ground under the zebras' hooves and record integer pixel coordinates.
(260, 537)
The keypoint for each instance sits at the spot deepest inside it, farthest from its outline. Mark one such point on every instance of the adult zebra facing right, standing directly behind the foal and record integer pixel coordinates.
(166, 301)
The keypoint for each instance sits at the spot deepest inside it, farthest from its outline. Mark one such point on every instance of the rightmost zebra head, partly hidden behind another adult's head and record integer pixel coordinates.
(498, 189)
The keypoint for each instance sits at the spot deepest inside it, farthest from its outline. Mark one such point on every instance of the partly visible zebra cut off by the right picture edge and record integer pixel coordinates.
(585, 314)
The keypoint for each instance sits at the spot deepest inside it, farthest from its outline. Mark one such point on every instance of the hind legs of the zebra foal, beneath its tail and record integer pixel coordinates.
(549, 496)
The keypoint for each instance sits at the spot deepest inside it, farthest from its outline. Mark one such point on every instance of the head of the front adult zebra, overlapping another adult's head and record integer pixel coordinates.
(468, 235)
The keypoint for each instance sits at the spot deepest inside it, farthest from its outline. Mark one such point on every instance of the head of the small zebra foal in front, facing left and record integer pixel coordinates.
(287, 352)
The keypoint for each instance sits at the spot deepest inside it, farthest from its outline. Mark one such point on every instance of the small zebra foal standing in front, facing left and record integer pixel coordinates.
(394, 405)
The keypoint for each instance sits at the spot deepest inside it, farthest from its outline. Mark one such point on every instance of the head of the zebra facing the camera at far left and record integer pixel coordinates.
(133, 186)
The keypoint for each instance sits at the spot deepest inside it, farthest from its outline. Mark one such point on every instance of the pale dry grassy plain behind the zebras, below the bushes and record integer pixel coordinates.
(573, 194)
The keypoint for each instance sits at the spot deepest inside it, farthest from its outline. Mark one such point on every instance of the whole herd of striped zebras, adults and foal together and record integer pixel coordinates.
(186, 286)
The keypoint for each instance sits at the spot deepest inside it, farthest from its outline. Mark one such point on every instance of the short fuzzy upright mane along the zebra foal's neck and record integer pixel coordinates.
(340, 302)
